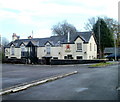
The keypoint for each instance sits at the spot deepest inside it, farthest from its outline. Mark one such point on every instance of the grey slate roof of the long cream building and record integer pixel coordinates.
(54, 40)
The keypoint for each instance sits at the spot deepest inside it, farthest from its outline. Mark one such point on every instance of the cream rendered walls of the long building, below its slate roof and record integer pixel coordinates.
(61, 51)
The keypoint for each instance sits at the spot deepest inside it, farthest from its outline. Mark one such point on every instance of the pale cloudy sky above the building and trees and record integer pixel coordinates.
(23, 16)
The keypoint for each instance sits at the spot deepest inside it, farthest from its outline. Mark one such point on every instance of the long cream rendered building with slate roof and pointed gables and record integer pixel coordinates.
(81, 45)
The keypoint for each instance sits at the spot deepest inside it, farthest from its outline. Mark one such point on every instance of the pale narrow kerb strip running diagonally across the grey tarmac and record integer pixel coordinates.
(33, 83)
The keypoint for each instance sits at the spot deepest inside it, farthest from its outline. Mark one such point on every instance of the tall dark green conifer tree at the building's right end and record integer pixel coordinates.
(106, 36)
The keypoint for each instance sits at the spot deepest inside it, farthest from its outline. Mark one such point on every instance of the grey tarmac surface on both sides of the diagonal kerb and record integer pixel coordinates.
(88, 84)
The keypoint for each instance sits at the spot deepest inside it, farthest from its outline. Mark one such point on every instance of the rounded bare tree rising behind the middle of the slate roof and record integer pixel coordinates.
(63, 28)
